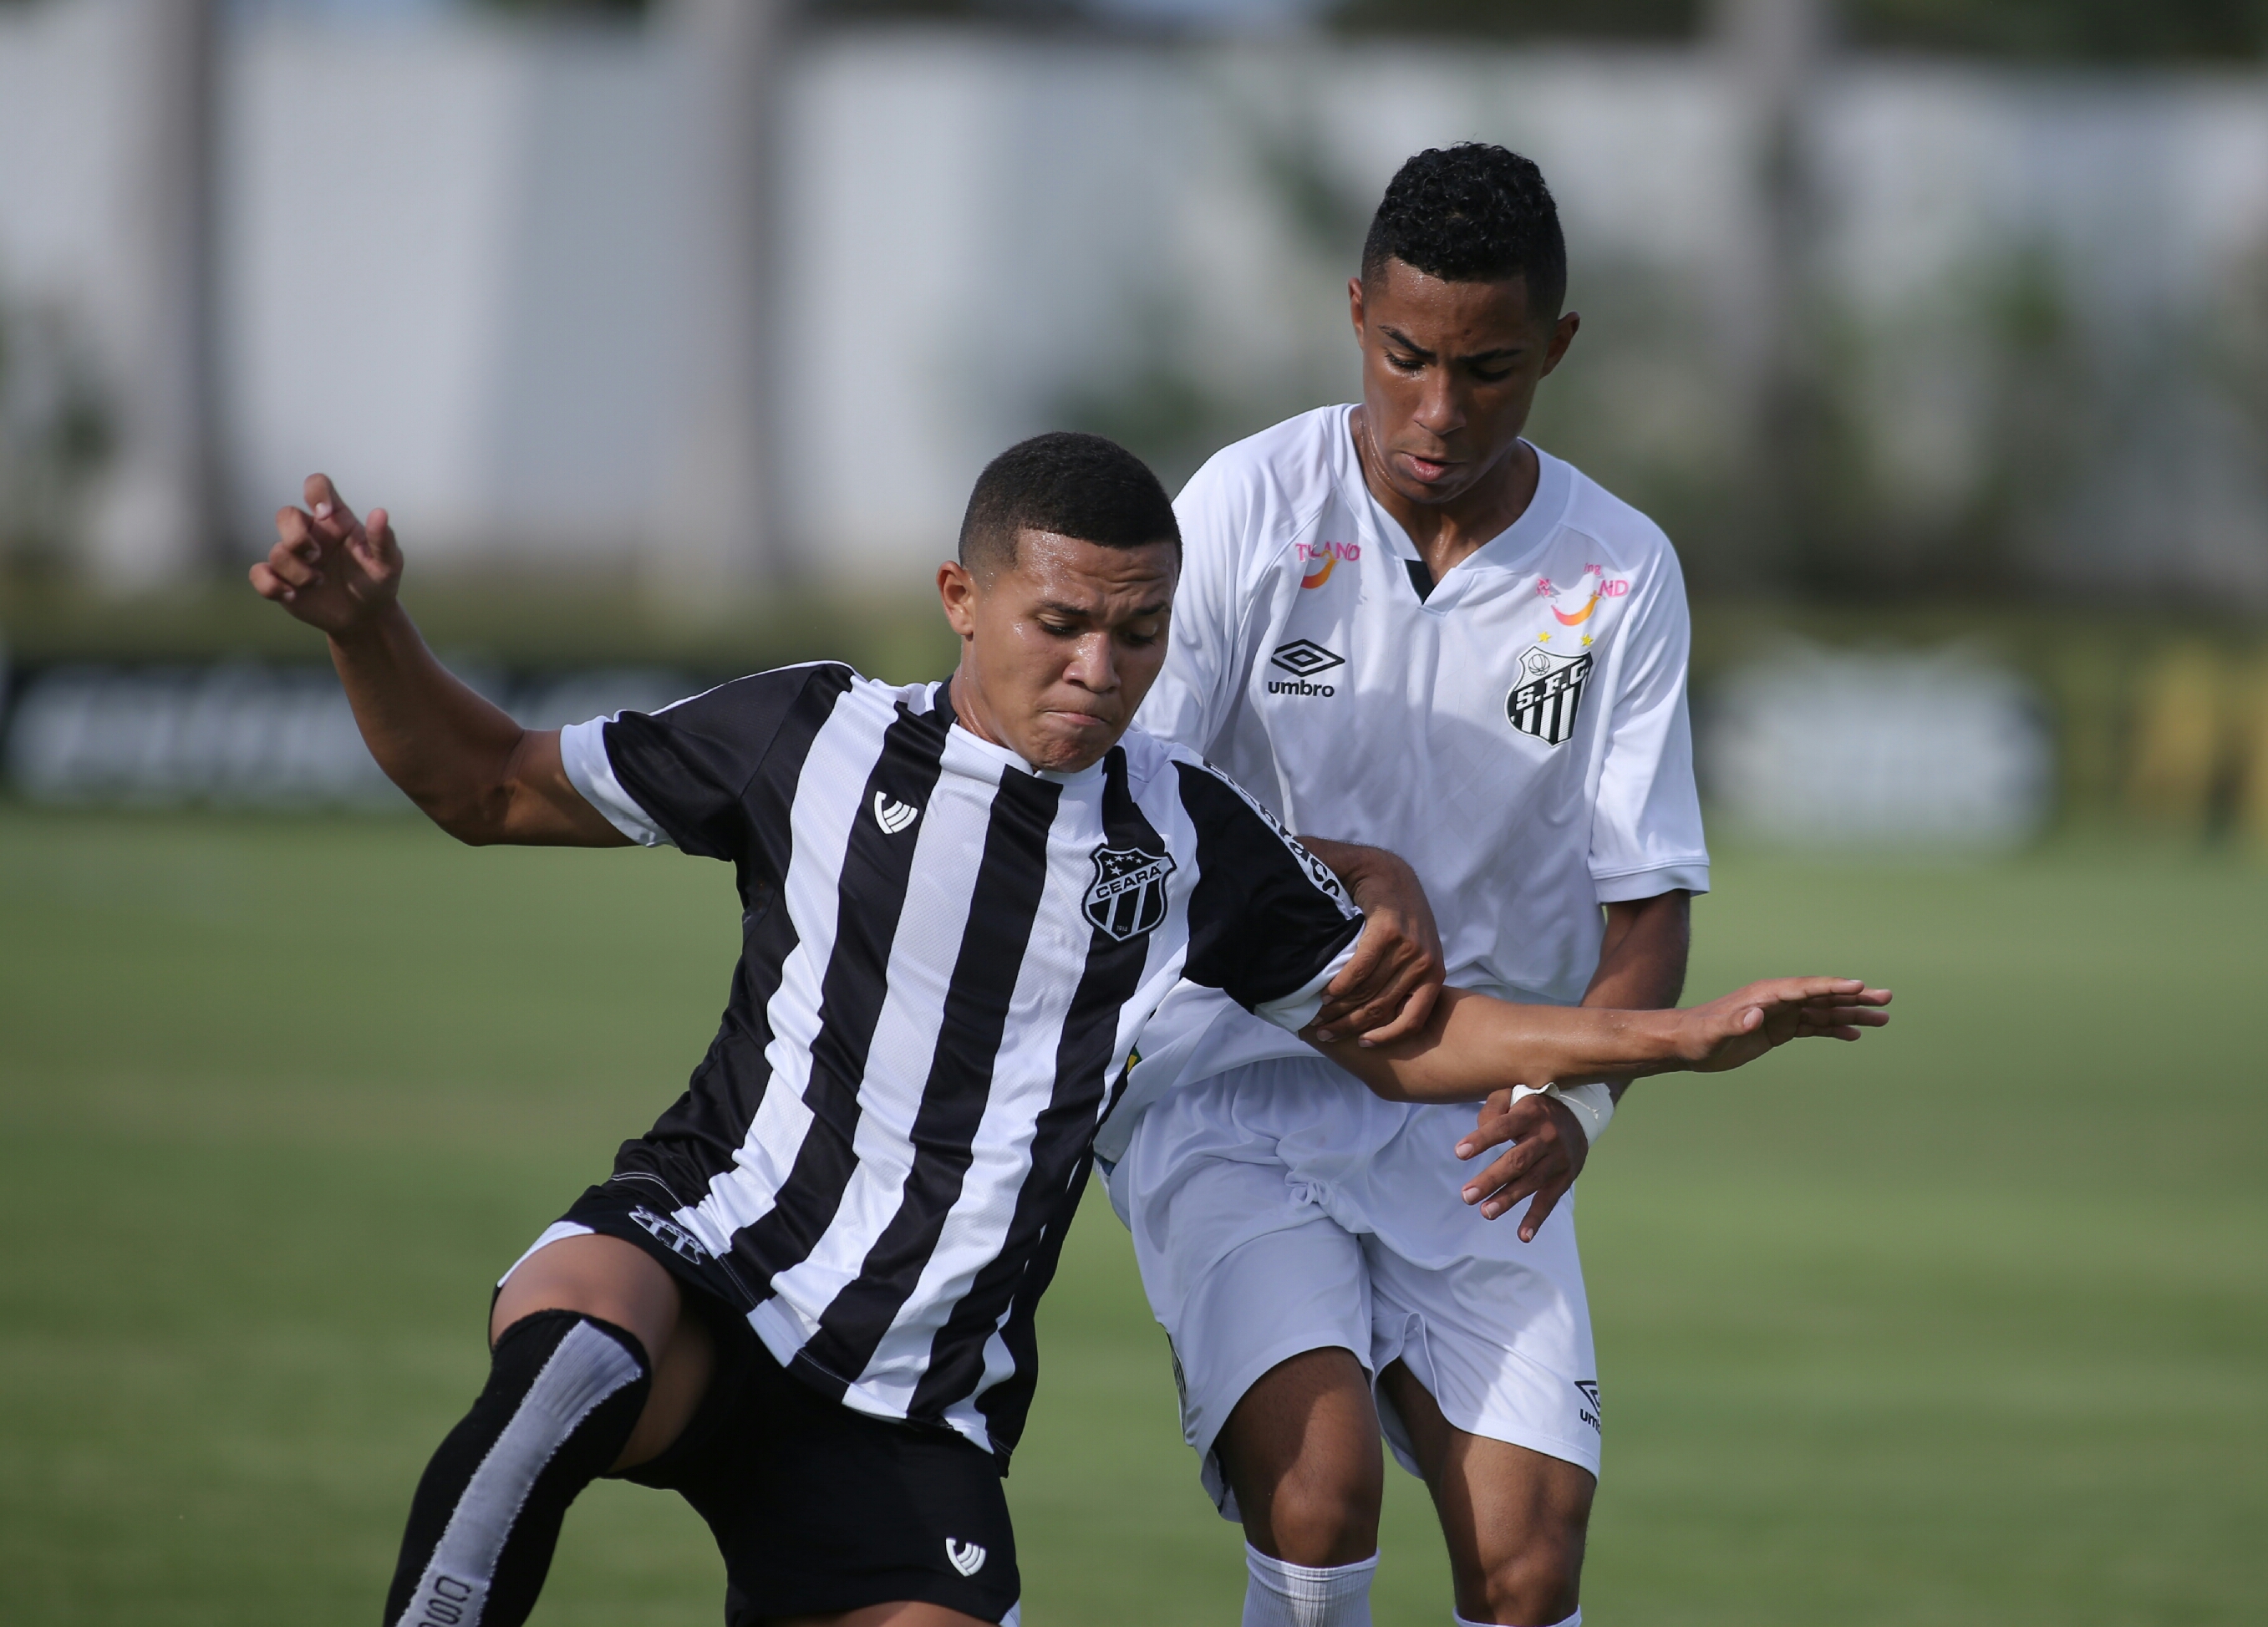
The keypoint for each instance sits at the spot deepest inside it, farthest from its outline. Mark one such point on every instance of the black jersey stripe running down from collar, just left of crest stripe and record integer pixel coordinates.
(1004, 907)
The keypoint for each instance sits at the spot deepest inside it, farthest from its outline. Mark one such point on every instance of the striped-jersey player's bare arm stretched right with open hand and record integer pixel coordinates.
(1475, 1045)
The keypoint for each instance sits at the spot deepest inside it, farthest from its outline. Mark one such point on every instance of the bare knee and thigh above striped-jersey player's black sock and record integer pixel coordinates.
(620, 1283)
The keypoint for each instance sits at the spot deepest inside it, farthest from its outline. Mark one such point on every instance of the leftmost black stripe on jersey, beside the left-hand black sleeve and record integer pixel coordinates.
(700, 1136)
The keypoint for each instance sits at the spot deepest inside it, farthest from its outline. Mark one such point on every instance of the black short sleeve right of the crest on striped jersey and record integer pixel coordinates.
(1269, 922)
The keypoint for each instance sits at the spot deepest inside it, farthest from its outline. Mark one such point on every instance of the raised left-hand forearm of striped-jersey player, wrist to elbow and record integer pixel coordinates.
(448, 748)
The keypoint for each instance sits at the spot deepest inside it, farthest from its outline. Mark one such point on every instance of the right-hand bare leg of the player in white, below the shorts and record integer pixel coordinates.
(1514, 1519)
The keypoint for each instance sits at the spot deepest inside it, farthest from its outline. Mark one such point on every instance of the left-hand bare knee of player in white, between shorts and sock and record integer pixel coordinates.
(1303, 1453)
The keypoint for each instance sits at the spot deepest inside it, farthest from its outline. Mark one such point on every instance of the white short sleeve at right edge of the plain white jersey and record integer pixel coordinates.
(1645, 834)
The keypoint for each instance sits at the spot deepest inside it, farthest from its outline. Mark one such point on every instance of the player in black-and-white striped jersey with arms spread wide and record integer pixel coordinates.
(804, 1299)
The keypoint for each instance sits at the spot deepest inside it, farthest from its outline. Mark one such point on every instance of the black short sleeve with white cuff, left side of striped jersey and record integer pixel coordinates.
(684, 775)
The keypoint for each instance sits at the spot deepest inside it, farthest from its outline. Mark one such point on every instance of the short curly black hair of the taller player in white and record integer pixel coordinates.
(1473, 212)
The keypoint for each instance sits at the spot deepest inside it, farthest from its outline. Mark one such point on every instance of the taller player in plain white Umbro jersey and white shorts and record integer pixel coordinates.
(1405, 625)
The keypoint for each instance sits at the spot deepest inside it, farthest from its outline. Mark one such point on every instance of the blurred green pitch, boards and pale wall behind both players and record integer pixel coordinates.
(672, 335)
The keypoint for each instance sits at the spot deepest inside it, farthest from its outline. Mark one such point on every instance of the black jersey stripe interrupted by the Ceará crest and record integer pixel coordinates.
(1060, 1158)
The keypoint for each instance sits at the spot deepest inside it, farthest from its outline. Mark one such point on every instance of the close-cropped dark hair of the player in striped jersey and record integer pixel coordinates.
(1072, 484)
